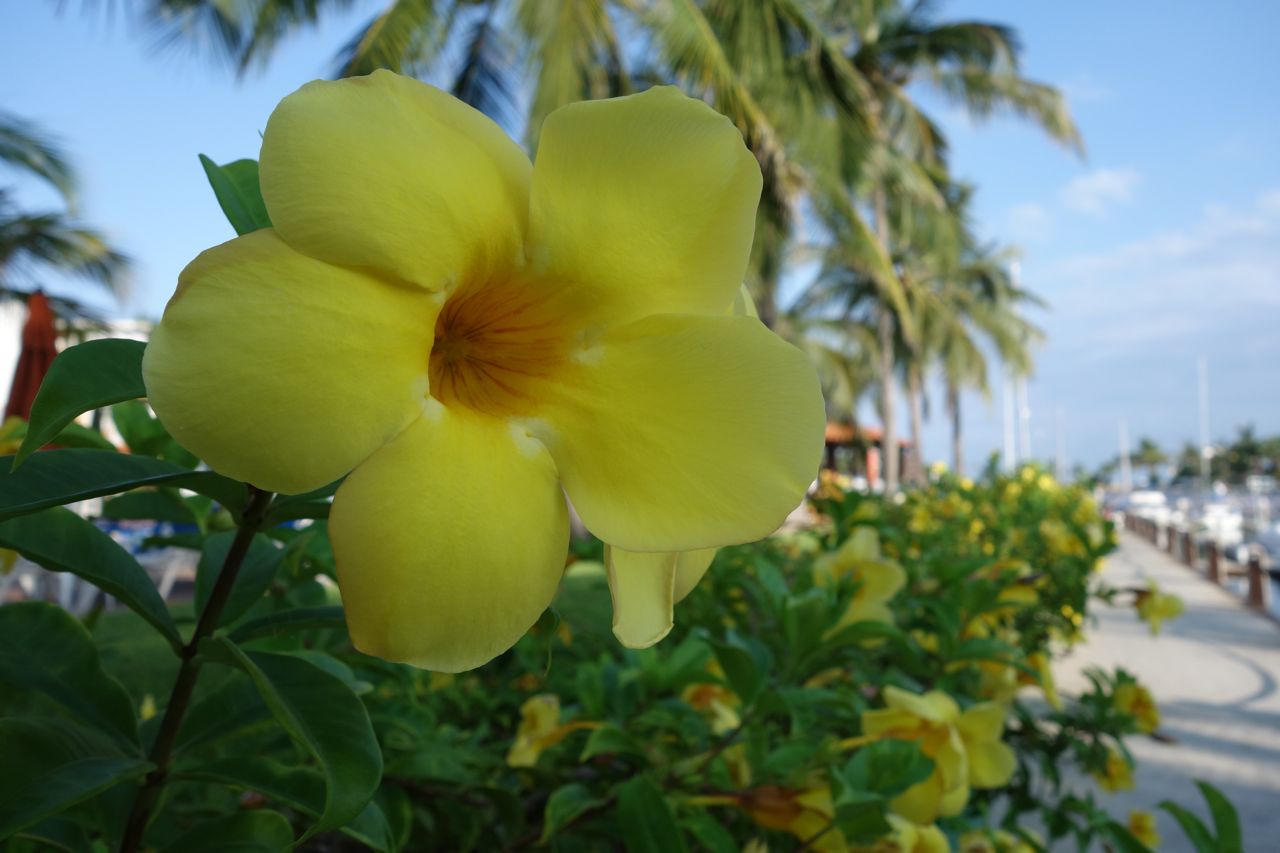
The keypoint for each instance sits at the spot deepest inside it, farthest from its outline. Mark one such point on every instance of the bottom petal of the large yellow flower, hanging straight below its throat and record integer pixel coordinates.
(450, 542)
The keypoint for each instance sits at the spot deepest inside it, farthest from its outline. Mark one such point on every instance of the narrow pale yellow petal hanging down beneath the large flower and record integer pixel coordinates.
(642, 587)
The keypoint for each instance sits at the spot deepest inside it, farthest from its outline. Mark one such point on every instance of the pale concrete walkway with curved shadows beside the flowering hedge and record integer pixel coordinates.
(1214, 673)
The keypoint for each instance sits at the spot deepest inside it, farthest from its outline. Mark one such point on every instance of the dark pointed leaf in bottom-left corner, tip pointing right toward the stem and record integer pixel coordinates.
(47, 770)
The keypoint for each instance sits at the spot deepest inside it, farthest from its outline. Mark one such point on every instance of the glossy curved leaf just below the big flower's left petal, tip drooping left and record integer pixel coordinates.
(83, 378)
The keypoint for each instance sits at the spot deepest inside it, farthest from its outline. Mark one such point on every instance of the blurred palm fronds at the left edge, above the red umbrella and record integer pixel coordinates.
(54, 239)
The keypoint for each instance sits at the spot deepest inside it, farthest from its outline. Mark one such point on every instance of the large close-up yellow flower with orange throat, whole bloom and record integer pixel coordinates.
(470, 339)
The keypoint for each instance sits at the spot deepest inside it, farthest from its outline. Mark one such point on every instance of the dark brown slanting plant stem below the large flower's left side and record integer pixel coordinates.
(180, 699)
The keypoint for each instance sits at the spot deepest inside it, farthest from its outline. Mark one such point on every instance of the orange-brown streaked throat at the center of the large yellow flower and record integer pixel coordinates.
(495, 346)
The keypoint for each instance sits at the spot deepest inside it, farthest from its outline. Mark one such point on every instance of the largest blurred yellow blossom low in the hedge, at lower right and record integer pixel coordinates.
(966, 749)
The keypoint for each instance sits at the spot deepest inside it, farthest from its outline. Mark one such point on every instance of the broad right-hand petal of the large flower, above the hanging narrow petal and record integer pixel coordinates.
(678, 434)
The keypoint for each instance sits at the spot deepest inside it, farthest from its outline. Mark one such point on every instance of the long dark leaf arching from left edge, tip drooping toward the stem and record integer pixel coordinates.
(61, 541)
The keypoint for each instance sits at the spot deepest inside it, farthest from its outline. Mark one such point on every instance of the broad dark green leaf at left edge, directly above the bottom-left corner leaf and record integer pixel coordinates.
(47, 650)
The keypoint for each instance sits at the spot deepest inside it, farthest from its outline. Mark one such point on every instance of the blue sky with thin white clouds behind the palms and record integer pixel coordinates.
(1162, 247)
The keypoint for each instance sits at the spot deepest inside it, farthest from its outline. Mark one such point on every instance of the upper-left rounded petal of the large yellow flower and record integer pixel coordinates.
(391, 175)
